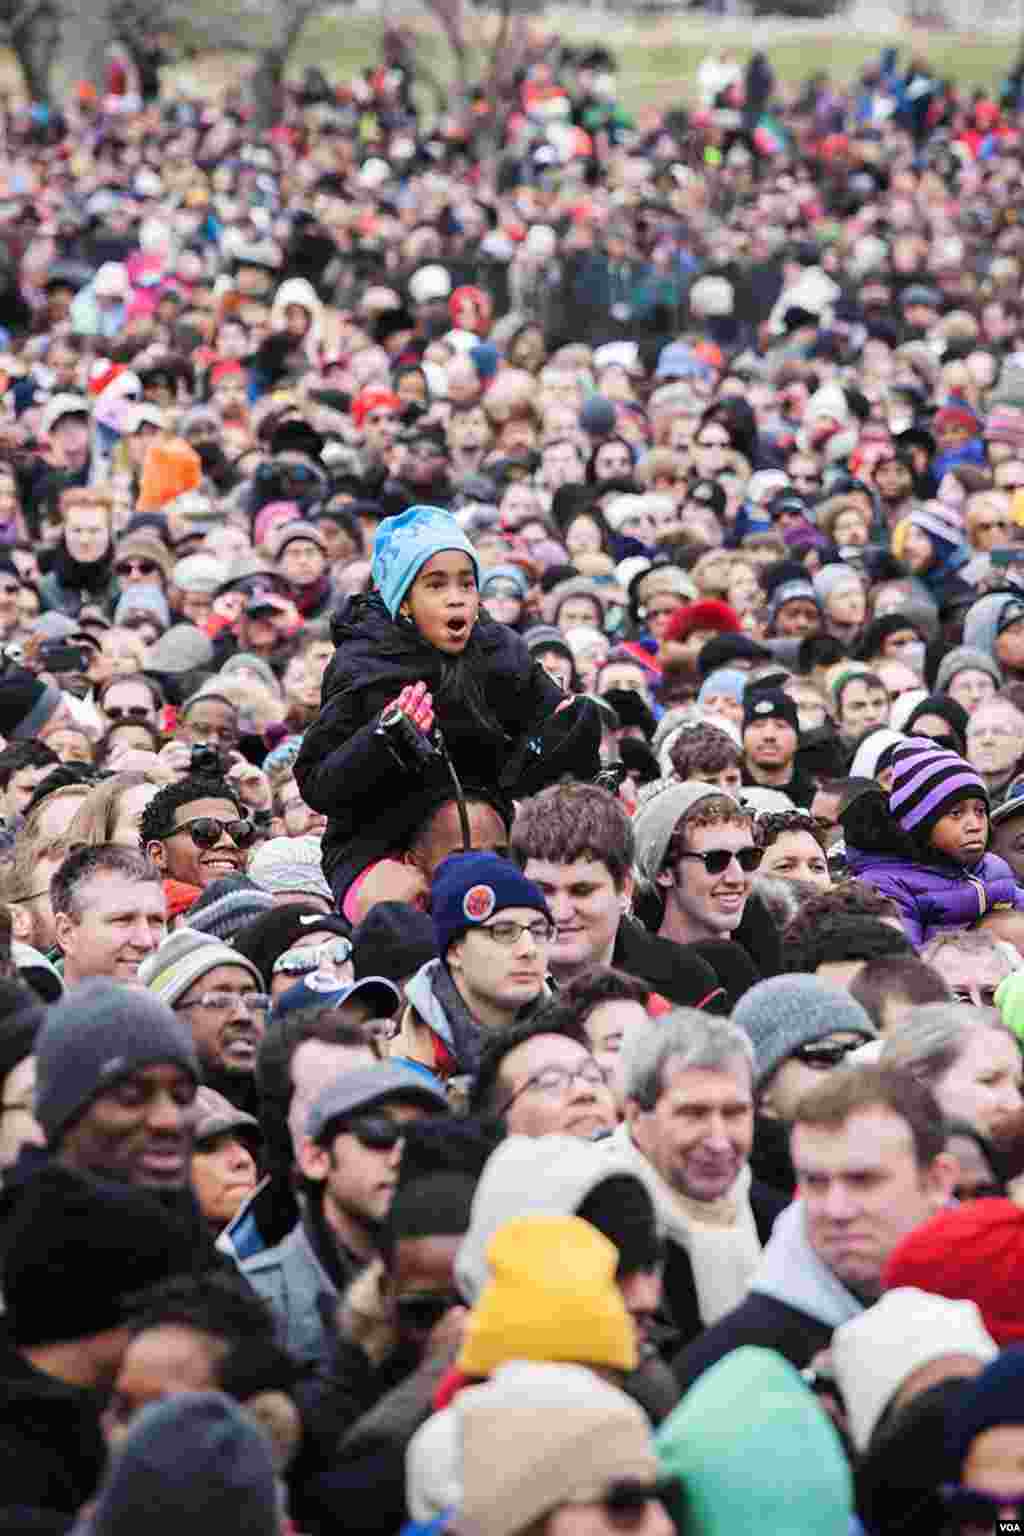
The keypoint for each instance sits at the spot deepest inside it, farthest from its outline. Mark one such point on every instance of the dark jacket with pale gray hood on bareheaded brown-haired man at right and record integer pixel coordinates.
(794, 1306)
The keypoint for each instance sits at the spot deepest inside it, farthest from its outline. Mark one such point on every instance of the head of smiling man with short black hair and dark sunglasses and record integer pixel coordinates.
(196, 832)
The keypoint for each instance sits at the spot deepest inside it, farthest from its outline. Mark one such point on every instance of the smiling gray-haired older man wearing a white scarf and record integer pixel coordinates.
(689, 1133)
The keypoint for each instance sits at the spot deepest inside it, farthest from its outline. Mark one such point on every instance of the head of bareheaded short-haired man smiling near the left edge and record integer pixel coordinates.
(110, 913)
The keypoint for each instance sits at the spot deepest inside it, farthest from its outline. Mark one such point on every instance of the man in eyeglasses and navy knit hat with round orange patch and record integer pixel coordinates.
(494, 933)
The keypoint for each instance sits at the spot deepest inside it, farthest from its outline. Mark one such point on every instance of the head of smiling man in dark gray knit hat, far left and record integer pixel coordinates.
(116, 1079)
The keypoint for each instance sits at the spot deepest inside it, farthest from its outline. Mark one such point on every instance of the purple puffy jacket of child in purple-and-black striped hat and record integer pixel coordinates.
(940, 896)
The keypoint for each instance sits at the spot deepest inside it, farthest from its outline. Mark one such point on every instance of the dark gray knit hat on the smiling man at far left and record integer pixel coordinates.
(97, 1034)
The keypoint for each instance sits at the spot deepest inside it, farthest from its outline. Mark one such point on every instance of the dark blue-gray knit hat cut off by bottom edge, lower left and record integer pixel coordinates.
(191, 1463)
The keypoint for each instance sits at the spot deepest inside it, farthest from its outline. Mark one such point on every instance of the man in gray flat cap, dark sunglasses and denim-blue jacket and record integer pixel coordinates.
(349, 1160)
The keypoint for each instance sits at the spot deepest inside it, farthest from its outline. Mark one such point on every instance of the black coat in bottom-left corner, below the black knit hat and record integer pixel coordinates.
(51, 1446)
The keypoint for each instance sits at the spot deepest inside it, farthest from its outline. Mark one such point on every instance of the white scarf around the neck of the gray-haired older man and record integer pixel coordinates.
(718, 1236)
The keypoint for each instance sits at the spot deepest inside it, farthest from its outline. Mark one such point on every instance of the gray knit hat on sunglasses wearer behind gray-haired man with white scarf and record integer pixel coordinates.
(791, 1011)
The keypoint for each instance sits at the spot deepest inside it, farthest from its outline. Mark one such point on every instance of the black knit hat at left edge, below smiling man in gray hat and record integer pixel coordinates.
(78, 1248)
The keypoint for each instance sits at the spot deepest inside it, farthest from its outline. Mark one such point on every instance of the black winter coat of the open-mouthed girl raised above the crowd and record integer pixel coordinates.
(368, 790)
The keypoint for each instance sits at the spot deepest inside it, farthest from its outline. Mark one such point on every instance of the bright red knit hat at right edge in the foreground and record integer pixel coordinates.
(974, 1253)
